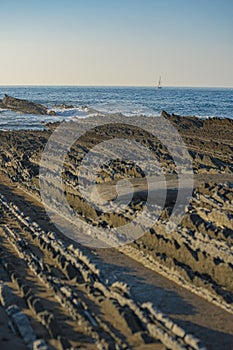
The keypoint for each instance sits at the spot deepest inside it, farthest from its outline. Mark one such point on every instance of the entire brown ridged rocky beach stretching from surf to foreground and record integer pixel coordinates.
(163, 290)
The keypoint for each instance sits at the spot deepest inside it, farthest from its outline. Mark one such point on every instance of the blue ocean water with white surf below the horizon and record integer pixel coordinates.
(201, 102)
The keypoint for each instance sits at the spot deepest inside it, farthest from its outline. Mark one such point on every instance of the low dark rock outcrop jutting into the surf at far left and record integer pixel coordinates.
(24, 106)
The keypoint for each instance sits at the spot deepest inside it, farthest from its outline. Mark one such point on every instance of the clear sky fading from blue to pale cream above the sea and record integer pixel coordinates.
(116, 42)
